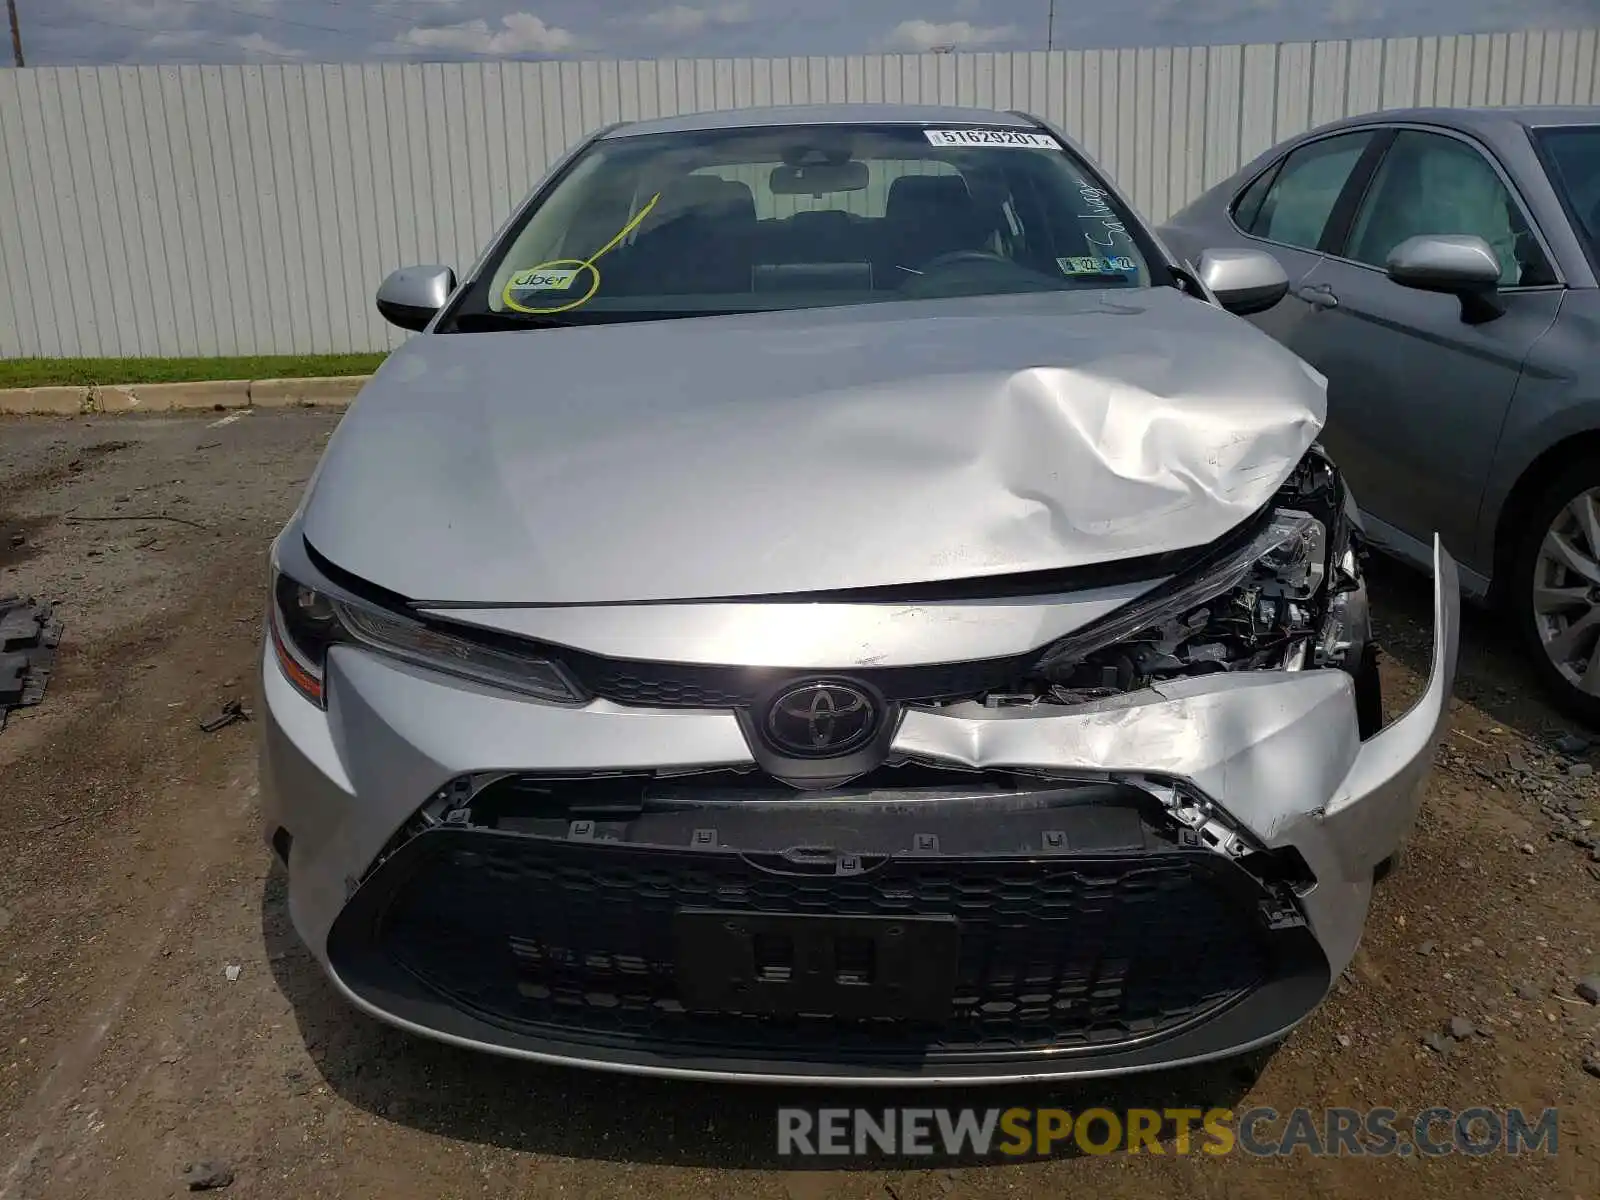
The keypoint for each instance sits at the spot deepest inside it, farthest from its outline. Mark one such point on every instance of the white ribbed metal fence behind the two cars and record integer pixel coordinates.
(255, 209)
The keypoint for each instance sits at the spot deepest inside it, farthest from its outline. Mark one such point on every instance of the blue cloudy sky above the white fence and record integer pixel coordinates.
(68, 33)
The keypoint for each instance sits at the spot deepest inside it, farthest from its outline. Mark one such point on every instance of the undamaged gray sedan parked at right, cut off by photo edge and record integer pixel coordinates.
(1444, 270)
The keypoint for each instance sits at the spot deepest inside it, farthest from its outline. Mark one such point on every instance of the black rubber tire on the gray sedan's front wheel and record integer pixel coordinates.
(1556, 510)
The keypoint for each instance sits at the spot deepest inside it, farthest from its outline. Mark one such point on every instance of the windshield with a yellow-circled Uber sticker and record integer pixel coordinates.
(806, 217)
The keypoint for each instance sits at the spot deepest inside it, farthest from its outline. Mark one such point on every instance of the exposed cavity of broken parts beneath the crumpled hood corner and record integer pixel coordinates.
(1284, 594)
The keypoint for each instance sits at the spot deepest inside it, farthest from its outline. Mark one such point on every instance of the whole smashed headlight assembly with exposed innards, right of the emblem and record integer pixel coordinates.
(1258, 596)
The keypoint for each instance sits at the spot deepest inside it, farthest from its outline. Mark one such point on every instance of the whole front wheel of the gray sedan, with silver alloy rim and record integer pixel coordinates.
(1561, 580)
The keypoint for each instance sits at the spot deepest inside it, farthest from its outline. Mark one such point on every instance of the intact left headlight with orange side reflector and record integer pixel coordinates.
(308, 623)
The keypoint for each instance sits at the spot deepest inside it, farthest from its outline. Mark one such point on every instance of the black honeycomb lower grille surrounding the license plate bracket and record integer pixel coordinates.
(574, 942)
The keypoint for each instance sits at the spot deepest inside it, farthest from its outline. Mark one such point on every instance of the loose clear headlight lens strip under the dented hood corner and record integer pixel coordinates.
(1286, 562)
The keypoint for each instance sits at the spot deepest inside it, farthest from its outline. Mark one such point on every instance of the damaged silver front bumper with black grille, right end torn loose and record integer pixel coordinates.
(1169, 879)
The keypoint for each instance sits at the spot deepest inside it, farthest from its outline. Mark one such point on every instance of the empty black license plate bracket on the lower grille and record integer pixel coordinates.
(817, 966)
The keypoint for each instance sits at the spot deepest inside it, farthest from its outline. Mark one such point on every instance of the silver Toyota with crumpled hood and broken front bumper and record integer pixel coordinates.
(831, 599)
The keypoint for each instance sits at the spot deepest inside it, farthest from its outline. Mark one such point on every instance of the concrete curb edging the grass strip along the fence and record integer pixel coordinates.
(210, 396)
